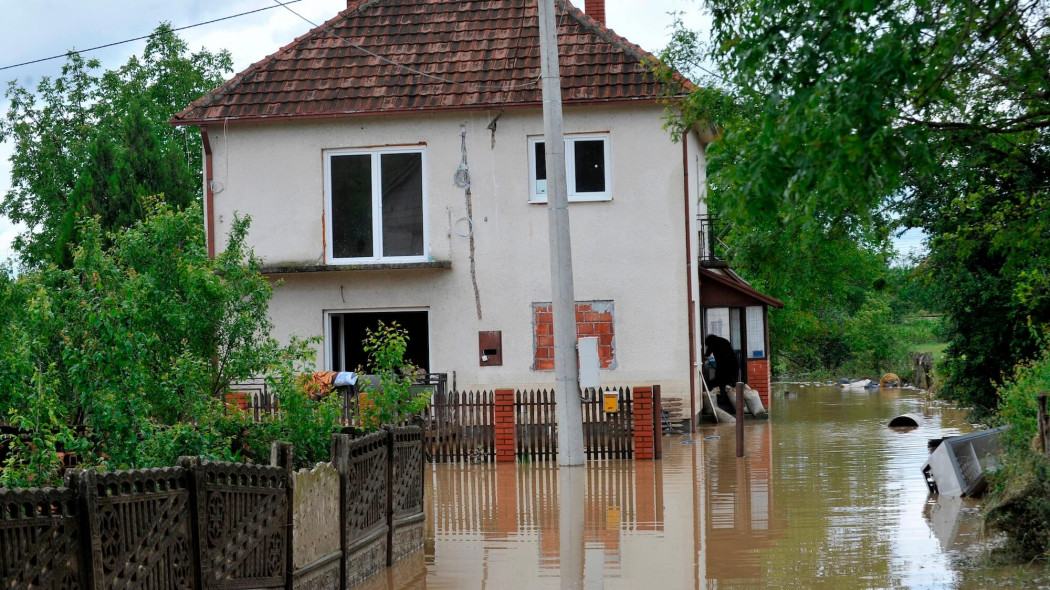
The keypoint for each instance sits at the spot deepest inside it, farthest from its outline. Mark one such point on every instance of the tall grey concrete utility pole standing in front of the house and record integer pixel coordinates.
(571, 430)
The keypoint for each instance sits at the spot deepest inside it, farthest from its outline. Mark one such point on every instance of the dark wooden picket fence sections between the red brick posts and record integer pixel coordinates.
(461, 428)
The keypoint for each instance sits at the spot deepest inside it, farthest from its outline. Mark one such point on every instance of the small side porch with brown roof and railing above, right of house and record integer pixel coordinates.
(733, 309)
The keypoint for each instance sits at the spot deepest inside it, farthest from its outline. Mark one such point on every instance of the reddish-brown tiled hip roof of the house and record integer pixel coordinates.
(481, 54)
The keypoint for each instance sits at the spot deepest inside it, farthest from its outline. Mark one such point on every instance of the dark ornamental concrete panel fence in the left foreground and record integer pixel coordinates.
(208, 525)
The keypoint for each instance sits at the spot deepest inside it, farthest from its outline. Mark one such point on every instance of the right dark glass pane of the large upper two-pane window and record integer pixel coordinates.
(403, 204)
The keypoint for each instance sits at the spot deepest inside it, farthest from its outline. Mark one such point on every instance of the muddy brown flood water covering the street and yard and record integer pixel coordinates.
(827, 497)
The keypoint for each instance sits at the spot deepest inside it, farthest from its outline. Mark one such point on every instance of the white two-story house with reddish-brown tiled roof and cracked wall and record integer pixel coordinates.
(392, 163)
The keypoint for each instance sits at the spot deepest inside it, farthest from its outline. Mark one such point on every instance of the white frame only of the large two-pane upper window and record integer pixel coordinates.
(377, 209)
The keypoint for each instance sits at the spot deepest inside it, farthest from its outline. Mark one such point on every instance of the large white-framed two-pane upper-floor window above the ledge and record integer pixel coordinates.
(375, 204)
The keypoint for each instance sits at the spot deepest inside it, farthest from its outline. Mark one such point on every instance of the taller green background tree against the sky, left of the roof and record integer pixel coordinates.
(91, 145)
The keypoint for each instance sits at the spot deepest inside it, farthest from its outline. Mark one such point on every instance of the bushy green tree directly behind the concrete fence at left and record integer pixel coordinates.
(125, 357)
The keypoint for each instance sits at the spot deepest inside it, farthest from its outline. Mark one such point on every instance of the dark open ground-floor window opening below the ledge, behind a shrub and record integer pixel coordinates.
(346, 333)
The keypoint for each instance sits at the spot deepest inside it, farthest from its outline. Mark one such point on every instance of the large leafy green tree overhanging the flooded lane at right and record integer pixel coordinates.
(857, 117)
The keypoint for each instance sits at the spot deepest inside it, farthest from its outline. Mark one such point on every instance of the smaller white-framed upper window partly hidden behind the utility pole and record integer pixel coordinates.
(589, 174)
